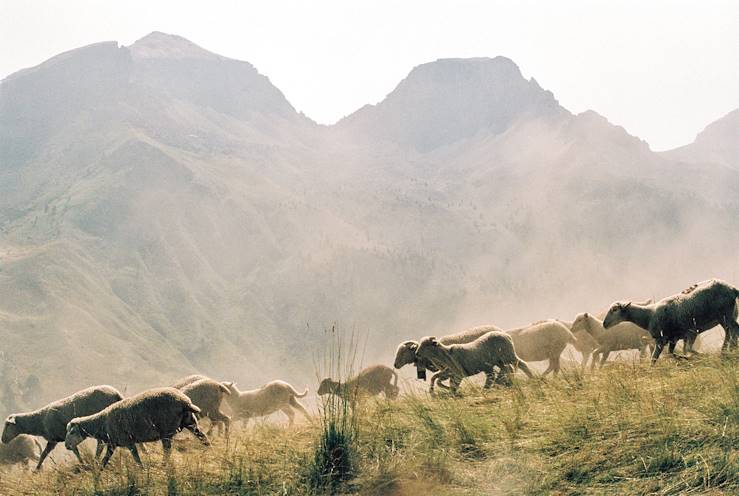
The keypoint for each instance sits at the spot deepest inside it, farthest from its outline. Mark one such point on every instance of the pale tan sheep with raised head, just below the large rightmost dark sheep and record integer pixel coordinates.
(624, 336)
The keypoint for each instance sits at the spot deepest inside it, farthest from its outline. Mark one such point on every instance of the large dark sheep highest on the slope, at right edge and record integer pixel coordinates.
(683, 316)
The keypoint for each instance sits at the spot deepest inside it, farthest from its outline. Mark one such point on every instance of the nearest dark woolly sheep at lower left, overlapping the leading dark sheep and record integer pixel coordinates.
(154, 415)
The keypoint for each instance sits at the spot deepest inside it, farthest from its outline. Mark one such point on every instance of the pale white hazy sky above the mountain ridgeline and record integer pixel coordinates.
(661, 69)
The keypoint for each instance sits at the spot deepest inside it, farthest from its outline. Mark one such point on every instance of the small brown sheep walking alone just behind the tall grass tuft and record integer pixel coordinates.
(371, 381)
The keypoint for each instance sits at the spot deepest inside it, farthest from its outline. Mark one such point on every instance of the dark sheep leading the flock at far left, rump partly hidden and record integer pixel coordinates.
(50, 422)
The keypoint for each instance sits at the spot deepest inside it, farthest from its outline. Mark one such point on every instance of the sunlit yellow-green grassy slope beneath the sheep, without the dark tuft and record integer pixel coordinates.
(628, 429)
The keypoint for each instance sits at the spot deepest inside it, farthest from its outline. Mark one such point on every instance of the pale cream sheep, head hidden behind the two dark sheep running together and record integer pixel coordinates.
(544, 340)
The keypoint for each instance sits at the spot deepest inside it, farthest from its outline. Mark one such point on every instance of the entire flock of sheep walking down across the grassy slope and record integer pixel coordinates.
(102, 413)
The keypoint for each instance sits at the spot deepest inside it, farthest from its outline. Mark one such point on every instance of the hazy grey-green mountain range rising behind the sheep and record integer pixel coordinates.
(164, 209)
